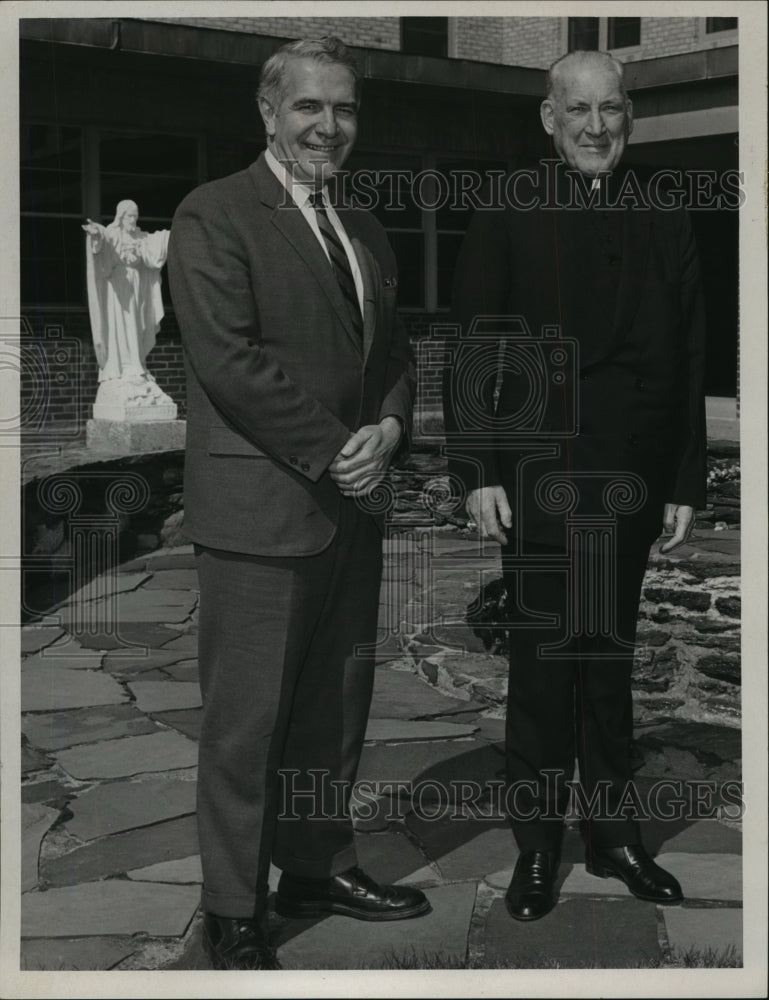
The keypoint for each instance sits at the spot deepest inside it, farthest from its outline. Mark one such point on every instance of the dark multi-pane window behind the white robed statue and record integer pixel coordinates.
(68, 173)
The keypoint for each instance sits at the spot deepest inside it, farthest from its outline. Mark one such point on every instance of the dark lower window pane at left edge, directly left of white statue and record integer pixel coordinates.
(52, 261)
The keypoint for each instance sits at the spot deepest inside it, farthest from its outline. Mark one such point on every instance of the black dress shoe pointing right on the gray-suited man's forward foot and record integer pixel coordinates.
(351, 893)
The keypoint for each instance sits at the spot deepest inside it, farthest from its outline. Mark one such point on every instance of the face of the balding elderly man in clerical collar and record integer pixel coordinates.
(588, 117)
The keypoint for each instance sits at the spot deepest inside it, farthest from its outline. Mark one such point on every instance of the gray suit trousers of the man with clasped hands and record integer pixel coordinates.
(286, 694)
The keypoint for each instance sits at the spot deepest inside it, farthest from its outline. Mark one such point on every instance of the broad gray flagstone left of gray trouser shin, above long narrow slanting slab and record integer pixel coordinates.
(124, 805)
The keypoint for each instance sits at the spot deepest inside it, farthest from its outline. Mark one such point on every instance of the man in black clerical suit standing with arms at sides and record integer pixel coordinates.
(590, 445)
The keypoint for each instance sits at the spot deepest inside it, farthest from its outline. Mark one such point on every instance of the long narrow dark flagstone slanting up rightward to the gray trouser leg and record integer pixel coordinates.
(122, 852)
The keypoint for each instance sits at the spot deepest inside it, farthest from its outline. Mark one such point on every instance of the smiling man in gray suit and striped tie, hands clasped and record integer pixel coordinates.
(300, 388)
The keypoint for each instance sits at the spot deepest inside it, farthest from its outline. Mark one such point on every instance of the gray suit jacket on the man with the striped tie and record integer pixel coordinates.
(277, 378)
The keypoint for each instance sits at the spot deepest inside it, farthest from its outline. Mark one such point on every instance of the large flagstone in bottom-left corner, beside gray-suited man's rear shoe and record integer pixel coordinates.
(114, 906)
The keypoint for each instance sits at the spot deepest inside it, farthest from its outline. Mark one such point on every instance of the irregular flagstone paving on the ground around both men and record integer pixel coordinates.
(109, 839)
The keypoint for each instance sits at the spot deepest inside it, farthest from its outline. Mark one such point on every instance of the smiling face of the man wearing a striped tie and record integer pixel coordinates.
(313, 128)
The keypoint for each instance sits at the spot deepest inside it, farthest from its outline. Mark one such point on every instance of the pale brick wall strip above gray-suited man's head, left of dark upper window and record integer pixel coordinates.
(370, 32)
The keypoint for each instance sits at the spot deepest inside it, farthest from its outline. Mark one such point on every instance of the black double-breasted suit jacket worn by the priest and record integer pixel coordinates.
(587, 388)
